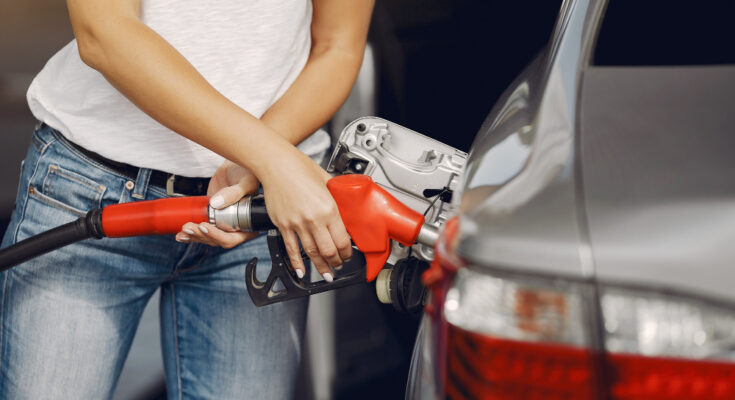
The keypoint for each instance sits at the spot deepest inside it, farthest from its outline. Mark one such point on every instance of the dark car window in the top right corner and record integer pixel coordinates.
(650, 32)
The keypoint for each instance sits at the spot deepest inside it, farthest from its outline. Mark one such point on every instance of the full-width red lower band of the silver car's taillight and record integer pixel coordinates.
(483, 367)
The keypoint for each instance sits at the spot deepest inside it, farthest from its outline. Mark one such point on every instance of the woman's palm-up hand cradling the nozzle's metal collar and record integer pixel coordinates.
(229, 184)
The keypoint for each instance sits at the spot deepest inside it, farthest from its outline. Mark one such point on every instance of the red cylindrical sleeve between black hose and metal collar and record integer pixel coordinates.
(162, 216)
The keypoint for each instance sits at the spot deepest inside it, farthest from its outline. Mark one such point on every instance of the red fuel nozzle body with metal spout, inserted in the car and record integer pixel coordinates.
(372, 217)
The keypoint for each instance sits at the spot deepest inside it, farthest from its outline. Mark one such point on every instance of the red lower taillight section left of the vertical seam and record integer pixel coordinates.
(483, 367)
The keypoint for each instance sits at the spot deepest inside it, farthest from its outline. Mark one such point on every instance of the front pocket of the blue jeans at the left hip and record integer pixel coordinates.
(68, 190)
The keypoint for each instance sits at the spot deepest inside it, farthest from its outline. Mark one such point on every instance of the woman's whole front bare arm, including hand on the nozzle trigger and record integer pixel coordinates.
(162, 83)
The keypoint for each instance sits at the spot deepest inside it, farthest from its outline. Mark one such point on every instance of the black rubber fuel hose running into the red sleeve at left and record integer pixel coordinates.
(89, 226)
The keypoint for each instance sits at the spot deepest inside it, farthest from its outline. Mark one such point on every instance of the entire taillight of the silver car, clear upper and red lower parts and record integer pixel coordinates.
(510, 336)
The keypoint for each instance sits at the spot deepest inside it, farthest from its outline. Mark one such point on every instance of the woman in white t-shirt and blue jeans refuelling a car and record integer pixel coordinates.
(151, 99)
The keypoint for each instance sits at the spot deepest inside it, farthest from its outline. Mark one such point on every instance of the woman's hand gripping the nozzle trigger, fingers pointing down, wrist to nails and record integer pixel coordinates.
(302, 208)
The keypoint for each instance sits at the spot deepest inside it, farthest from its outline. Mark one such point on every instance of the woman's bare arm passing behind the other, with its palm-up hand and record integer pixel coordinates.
(339, 31)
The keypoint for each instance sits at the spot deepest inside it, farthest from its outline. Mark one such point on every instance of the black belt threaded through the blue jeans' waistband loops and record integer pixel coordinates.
(173, 185)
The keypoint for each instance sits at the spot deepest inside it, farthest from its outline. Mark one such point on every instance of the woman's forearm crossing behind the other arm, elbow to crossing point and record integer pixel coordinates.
(318, 92)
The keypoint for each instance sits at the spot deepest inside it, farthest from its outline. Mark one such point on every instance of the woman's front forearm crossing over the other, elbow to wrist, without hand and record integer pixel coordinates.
(163, 84)
